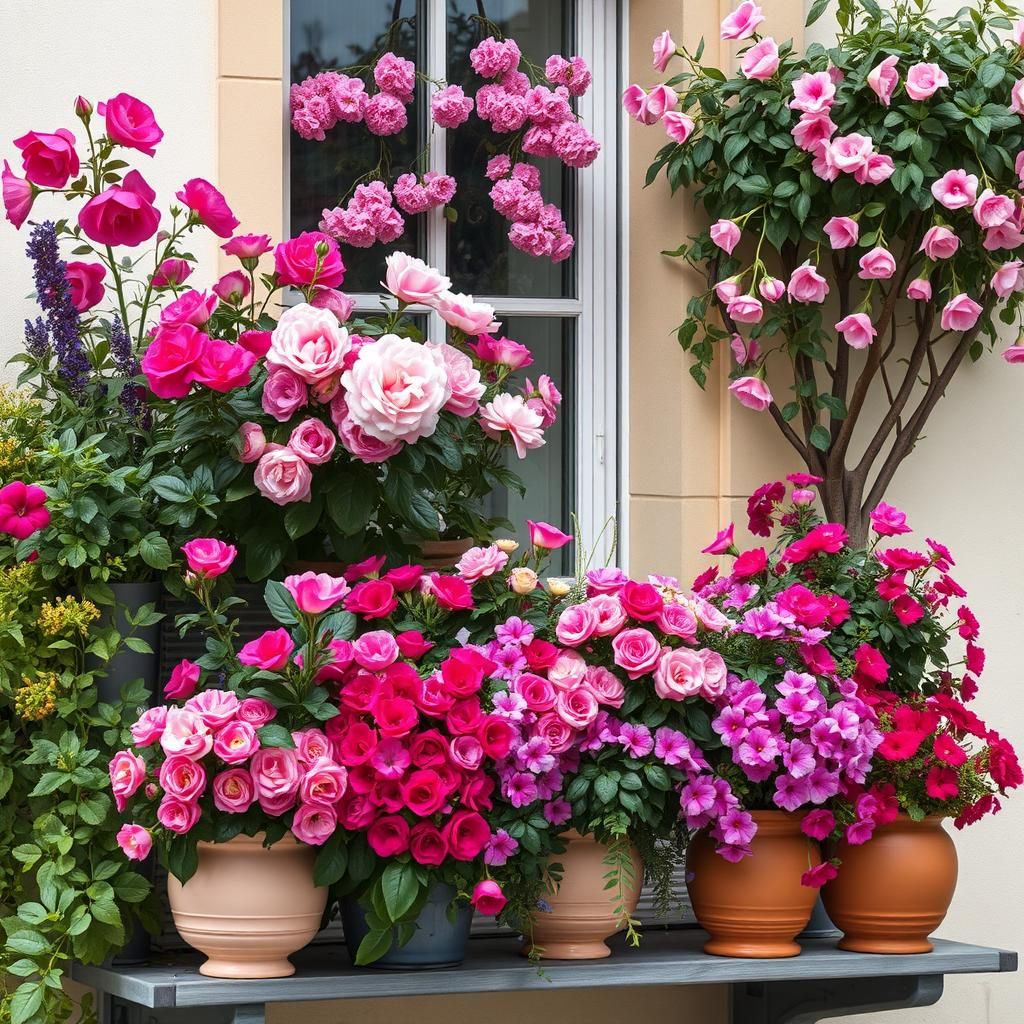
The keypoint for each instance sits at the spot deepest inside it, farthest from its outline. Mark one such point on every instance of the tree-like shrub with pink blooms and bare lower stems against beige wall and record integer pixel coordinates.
(861, 198)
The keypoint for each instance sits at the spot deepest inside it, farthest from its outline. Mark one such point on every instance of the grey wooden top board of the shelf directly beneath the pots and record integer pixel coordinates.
(667, 958)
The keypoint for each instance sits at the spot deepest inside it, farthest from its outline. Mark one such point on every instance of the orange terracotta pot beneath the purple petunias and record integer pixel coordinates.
(756, 908)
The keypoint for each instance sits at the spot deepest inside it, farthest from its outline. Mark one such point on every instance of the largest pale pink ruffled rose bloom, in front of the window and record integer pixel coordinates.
(397, 390)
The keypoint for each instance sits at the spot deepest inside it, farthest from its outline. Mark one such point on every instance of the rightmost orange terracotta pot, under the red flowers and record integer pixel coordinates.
(893, 891)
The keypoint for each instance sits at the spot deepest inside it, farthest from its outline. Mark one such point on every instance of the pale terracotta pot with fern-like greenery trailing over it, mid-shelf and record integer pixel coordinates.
(583, 912)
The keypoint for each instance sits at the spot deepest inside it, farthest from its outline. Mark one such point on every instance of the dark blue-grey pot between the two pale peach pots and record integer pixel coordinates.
(438, 942)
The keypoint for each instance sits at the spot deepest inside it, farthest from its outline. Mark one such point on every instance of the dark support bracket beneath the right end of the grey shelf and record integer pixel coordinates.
(810, 1002)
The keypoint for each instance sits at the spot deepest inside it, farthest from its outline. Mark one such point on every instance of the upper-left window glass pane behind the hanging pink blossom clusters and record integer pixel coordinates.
(342, 35)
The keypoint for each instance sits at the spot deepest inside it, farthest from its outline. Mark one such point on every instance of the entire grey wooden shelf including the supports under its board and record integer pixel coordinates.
(823, 983)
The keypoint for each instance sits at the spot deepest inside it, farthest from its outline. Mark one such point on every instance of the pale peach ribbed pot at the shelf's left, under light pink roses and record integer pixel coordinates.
(249, 908)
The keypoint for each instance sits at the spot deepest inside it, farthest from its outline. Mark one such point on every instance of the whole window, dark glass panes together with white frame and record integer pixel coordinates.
(566, 313)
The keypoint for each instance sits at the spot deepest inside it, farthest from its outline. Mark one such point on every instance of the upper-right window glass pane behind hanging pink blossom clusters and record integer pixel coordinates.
(482, 261)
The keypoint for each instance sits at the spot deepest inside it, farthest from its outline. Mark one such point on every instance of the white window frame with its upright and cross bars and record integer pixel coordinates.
(600, 361)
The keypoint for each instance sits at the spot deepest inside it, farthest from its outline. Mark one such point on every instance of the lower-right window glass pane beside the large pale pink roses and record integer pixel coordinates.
(549, 472)
